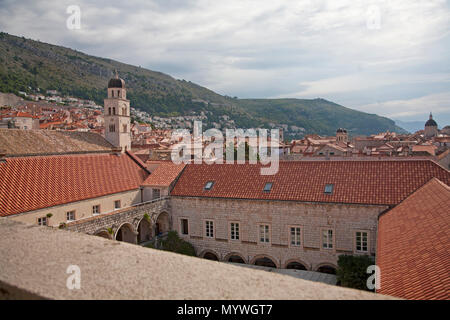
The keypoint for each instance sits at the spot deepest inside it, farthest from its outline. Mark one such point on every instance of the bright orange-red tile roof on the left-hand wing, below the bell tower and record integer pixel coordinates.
(30, 183)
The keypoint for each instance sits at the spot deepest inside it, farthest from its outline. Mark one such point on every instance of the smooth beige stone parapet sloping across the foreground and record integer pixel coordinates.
(35, 263)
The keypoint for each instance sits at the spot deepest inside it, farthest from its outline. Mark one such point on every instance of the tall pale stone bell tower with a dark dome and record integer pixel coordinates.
(117, 115)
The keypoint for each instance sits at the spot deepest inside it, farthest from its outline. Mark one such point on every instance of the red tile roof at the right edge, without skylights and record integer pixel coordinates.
(413, 249)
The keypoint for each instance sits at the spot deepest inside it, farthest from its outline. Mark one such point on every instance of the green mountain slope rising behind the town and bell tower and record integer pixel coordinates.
(27, 63)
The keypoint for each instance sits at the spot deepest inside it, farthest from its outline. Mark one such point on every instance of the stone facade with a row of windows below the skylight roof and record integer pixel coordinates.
(312, 218)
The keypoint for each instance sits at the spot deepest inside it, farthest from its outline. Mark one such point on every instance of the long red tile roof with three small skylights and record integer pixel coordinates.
(365, 182)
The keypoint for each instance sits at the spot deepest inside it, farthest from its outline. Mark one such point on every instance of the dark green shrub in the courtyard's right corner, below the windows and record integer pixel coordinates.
(352, 271)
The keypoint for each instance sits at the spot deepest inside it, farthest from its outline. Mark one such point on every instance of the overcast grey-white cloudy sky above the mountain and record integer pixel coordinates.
(387, 57)
